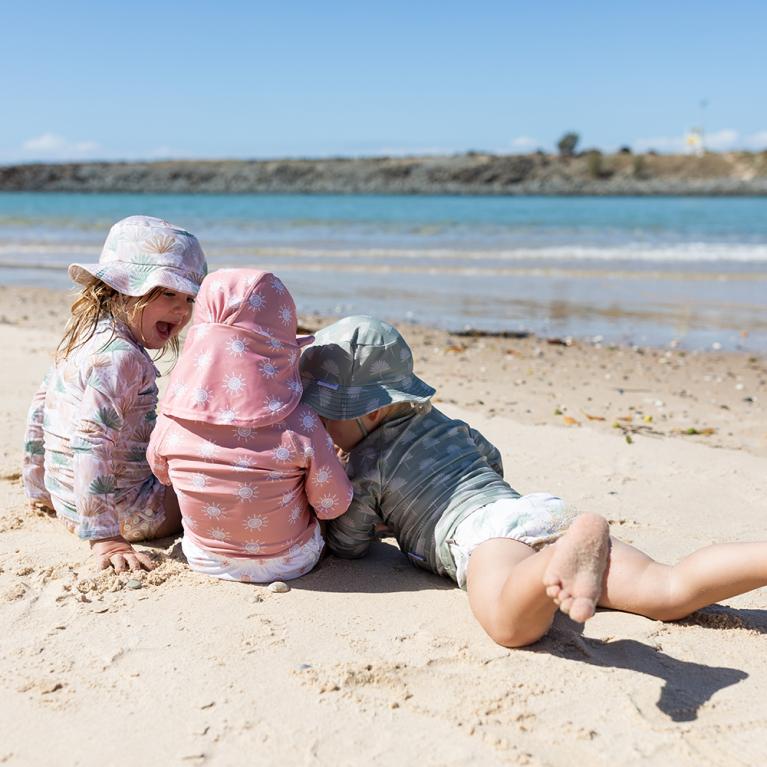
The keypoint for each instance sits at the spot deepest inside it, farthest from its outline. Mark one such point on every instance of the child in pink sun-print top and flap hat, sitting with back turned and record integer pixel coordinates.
(247, 461)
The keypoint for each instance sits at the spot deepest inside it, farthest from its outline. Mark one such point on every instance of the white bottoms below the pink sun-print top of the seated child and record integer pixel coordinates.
(293, 564)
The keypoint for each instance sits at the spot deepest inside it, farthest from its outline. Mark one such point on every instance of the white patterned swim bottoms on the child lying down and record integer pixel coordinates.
(536, 519)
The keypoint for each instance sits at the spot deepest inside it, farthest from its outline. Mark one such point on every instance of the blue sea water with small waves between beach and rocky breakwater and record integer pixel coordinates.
(650, 271)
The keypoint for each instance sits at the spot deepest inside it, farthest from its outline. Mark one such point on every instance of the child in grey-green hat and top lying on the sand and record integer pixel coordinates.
(436, 484)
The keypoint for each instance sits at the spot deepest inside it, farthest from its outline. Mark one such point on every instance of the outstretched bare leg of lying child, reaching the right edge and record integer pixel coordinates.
(638, 584)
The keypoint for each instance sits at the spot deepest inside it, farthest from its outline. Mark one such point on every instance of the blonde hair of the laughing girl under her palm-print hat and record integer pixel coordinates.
(98, 300)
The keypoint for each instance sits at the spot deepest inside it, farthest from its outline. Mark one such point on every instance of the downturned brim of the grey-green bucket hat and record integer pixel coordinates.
(341, 404)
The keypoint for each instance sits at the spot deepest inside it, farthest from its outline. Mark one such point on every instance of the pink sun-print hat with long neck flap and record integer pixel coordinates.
(239, 365)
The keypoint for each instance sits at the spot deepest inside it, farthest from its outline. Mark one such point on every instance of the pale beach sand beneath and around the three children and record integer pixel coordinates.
(373, 662)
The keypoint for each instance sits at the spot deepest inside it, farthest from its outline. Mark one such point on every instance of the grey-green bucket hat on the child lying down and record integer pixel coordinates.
(357, 365)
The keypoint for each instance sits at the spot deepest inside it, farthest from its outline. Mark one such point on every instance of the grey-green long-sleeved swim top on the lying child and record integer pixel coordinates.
(421, 473)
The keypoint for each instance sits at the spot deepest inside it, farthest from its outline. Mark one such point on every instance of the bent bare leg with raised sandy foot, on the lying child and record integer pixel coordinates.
(507, 581)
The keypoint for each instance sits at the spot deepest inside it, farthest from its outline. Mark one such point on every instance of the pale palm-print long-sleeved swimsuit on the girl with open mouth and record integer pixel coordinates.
(106, 387)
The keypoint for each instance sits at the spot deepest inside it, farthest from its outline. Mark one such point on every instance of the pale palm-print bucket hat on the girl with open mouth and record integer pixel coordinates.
(141, 253)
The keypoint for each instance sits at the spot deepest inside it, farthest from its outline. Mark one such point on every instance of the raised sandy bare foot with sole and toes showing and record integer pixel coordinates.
(573, 577)
